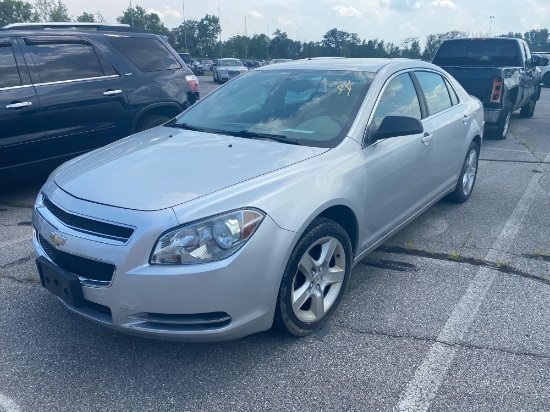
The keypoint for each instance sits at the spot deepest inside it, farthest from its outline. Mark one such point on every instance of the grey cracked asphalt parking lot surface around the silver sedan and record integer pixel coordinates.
(450, 314)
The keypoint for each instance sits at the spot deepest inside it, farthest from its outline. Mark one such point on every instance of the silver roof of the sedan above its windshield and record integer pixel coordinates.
(353, 64)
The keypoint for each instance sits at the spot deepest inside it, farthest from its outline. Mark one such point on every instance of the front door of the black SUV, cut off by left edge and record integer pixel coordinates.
(22, 143)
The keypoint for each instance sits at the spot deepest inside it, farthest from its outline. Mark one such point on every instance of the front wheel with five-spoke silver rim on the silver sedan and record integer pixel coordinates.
(315, 278)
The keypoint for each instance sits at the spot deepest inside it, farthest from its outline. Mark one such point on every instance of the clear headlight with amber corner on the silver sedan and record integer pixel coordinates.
(208, 240)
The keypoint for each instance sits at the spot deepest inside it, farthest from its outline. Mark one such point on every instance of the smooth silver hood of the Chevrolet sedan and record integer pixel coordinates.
(164, 167)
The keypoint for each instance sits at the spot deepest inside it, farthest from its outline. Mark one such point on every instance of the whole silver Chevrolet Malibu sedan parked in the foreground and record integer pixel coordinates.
(251, 208)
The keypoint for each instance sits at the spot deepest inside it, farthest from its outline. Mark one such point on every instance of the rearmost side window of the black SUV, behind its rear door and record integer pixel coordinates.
(148, 55)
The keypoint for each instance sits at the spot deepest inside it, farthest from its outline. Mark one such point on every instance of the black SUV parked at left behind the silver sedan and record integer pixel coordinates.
(67, 89)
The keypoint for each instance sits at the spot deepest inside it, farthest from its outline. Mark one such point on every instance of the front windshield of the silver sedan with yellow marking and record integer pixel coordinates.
(308, 107)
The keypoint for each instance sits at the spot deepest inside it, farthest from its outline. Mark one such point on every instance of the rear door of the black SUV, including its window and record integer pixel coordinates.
(83, 98)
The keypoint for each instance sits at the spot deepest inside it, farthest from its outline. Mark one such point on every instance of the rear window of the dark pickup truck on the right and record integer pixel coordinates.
(480, 52)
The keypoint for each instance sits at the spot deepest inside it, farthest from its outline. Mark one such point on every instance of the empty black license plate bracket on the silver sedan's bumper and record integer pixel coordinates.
(61, 283)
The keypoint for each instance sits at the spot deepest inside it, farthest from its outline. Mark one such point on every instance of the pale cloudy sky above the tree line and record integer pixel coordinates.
(309, 20)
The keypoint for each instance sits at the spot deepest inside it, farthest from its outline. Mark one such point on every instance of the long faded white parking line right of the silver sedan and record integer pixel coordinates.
(428, 377)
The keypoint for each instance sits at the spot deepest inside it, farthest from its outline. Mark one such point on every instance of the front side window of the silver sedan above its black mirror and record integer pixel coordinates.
(398, 98)
